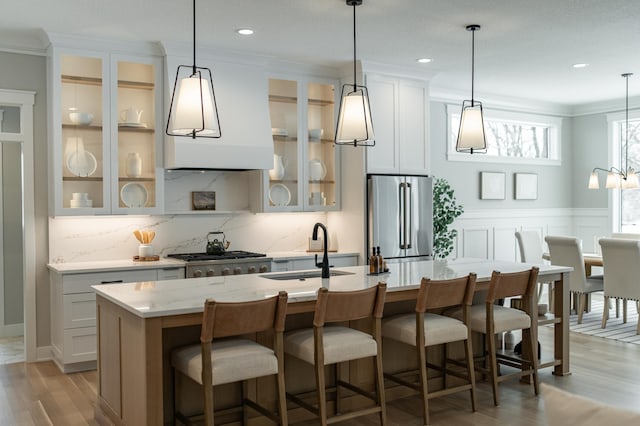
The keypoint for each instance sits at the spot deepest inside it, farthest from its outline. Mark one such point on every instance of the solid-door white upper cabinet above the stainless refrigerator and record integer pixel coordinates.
(400, 111)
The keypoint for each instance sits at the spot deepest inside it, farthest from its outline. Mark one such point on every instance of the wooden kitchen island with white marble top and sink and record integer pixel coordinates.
(140, 323)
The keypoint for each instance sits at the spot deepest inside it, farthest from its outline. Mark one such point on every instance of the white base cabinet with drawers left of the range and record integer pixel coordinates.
(73, 312)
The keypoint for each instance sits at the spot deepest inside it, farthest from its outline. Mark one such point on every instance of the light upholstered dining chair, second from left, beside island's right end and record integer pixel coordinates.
(567, 251)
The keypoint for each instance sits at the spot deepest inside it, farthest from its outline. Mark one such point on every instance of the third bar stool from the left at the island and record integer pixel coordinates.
(424, 329)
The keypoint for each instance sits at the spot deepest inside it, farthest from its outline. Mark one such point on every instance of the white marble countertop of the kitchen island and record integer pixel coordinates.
(175, 297)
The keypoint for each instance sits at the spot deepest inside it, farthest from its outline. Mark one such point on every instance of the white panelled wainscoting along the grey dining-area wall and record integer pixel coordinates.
(490, 234)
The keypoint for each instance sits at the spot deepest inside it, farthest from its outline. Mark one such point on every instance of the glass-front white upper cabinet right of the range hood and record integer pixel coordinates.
(306, 165)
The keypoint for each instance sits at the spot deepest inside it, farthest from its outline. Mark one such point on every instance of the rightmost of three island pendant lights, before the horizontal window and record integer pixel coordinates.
(471, 136)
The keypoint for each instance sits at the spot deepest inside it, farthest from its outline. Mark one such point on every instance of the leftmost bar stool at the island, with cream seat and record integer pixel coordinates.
(225, 357)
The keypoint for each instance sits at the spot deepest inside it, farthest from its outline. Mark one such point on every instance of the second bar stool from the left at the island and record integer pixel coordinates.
(336, 344)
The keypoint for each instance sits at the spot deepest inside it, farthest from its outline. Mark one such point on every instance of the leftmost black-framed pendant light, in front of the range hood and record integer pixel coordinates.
(193, 111)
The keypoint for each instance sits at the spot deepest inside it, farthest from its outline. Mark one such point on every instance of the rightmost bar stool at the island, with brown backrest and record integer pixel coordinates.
(492, 319)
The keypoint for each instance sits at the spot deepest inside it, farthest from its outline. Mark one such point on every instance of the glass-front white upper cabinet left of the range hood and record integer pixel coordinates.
(114, 155)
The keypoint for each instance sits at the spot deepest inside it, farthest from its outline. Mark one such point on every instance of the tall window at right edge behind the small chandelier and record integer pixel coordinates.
(628, 200)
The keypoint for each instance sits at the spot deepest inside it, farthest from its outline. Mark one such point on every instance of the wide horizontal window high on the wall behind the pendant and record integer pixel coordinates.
(511, 137)
